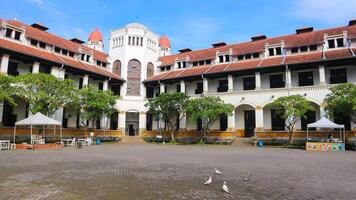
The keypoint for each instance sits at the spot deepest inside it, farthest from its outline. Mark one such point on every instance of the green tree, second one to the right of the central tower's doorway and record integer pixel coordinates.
(208, 109)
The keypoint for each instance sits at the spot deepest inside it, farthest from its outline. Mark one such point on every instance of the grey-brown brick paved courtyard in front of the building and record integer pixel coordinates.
(147, 171)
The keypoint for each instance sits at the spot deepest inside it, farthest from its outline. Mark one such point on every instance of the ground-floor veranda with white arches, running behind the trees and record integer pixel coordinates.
(246, 120)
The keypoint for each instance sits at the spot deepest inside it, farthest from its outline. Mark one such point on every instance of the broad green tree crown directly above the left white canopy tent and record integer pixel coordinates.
(44, 93)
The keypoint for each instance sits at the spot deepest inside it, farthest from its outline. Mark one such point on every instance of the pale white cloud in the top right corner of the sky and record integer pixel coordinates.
(330, 11)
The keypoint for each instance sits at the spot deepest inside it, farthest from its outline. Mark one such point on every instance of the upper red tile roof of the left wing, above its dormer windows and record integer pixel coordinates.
(51, 39)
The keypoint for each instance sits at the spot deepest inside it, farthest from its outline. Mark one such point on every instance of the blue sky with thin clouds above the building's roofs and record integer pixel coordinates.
(191, 24)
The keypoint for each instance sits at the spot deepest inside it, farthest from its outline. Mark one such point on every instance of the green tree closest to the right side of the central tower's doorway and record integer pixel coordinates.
(168, 107)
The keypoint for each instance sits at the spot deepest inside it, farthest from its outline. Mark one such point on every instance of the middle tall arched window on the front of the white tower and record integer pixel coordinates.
(133, 78)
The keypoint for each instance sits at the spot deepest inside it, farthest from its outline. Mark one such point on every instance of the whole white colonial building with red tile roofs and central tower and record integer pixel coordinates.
(140, 65)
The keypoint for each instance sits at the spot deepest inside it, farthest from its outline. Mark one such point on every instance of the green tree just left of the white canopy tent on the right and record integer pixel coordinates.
(291, 109)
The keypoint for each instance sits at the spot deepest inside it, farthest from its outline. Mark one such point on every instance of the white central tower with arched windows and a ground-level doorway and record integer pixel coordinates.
(133, 52)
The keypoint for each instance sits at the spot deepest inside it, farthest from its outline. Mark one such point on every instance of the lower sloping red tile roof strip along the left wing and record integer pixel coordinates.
(56, 58)
